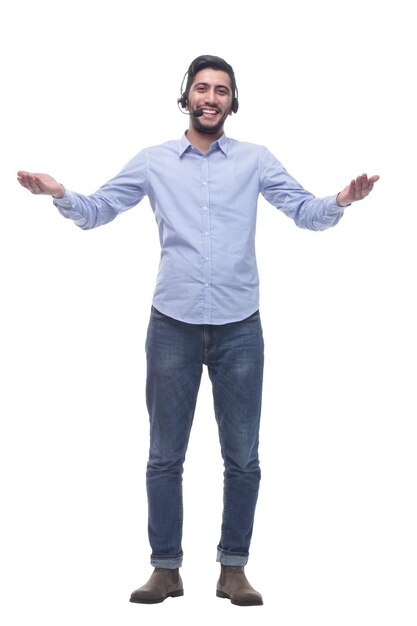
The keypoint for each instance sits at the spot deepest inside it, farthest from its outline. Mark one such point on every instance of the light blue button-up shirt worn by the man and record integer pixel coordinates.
(205, 206)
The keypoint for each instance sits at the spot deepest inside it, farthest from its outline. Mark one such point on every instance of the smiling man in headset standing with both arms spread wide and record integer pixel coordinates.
(203, 190)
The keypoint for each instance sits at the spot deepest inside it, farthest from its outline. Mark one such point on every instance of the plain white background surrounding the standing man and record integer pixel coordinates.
(328, 87)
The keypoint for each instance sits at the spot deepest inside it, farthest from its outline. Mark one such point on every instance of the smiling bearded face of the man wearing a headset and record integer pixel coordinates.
(210, 91)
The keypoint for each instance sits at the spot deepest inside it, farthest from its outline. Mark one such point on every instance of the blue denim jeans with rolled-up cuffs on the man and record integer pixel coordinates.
(176, 353)
